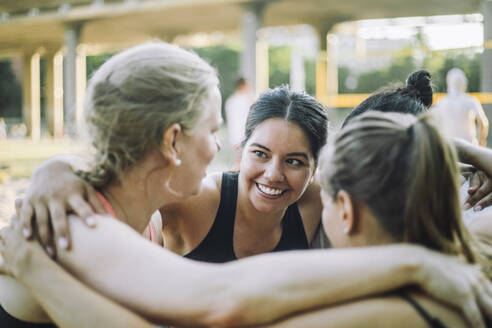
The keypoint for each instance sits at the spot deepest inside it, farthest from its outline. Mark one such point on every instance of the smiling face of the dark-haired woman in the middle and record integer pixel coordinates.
(276, 165)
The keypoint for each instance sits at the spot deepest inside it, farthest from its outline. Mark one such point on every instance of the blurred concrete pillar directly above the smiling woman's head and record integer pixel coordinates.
(251, 21)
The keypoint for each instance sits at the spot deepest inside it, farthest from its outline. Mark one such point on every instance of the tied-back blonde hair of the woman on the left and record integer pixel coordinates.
(134, 97)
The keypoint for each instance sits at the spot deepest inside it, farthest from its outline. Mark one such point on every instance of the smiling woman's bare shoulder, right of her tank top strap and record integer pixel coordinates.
(310, 207)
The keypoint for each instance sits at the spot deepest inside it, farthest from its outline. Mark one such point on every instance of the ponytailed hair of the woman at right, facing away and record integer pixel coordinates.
(404, 170)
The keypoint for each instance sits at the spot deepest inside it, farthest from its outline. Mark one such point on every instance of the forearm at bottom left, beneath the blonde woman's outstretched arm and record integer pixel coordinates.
(68, 302)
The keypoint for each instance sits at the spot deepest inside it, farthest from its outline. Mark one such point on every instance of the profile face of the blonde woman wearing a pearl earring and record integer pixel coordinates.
(200, 145)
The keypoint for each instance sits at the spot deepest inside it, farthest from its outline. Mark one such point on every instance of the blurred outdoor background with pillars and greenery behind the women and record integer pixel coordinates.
(338, 51)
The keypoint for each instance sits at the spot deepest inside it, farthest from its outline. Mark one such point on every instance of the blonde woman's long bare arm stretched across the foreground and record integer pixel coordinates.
(164, 287)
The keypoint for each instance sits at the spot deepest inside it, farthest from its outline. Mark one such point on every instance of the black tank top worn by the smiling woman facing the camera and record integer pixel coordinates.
(218, 246)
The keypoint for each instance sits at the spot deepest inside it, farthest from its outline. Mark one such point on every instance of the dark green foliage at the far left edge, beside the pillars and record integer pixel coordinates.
(10, 92)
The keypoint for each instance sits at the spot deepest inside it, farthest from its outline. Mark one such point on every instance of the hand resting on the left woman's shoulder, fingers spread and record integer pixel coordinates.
(54, 191)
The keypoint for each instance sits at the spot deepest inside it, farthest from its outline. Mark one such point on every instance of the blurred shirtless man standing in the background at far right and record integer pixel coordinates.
(460, 113)
